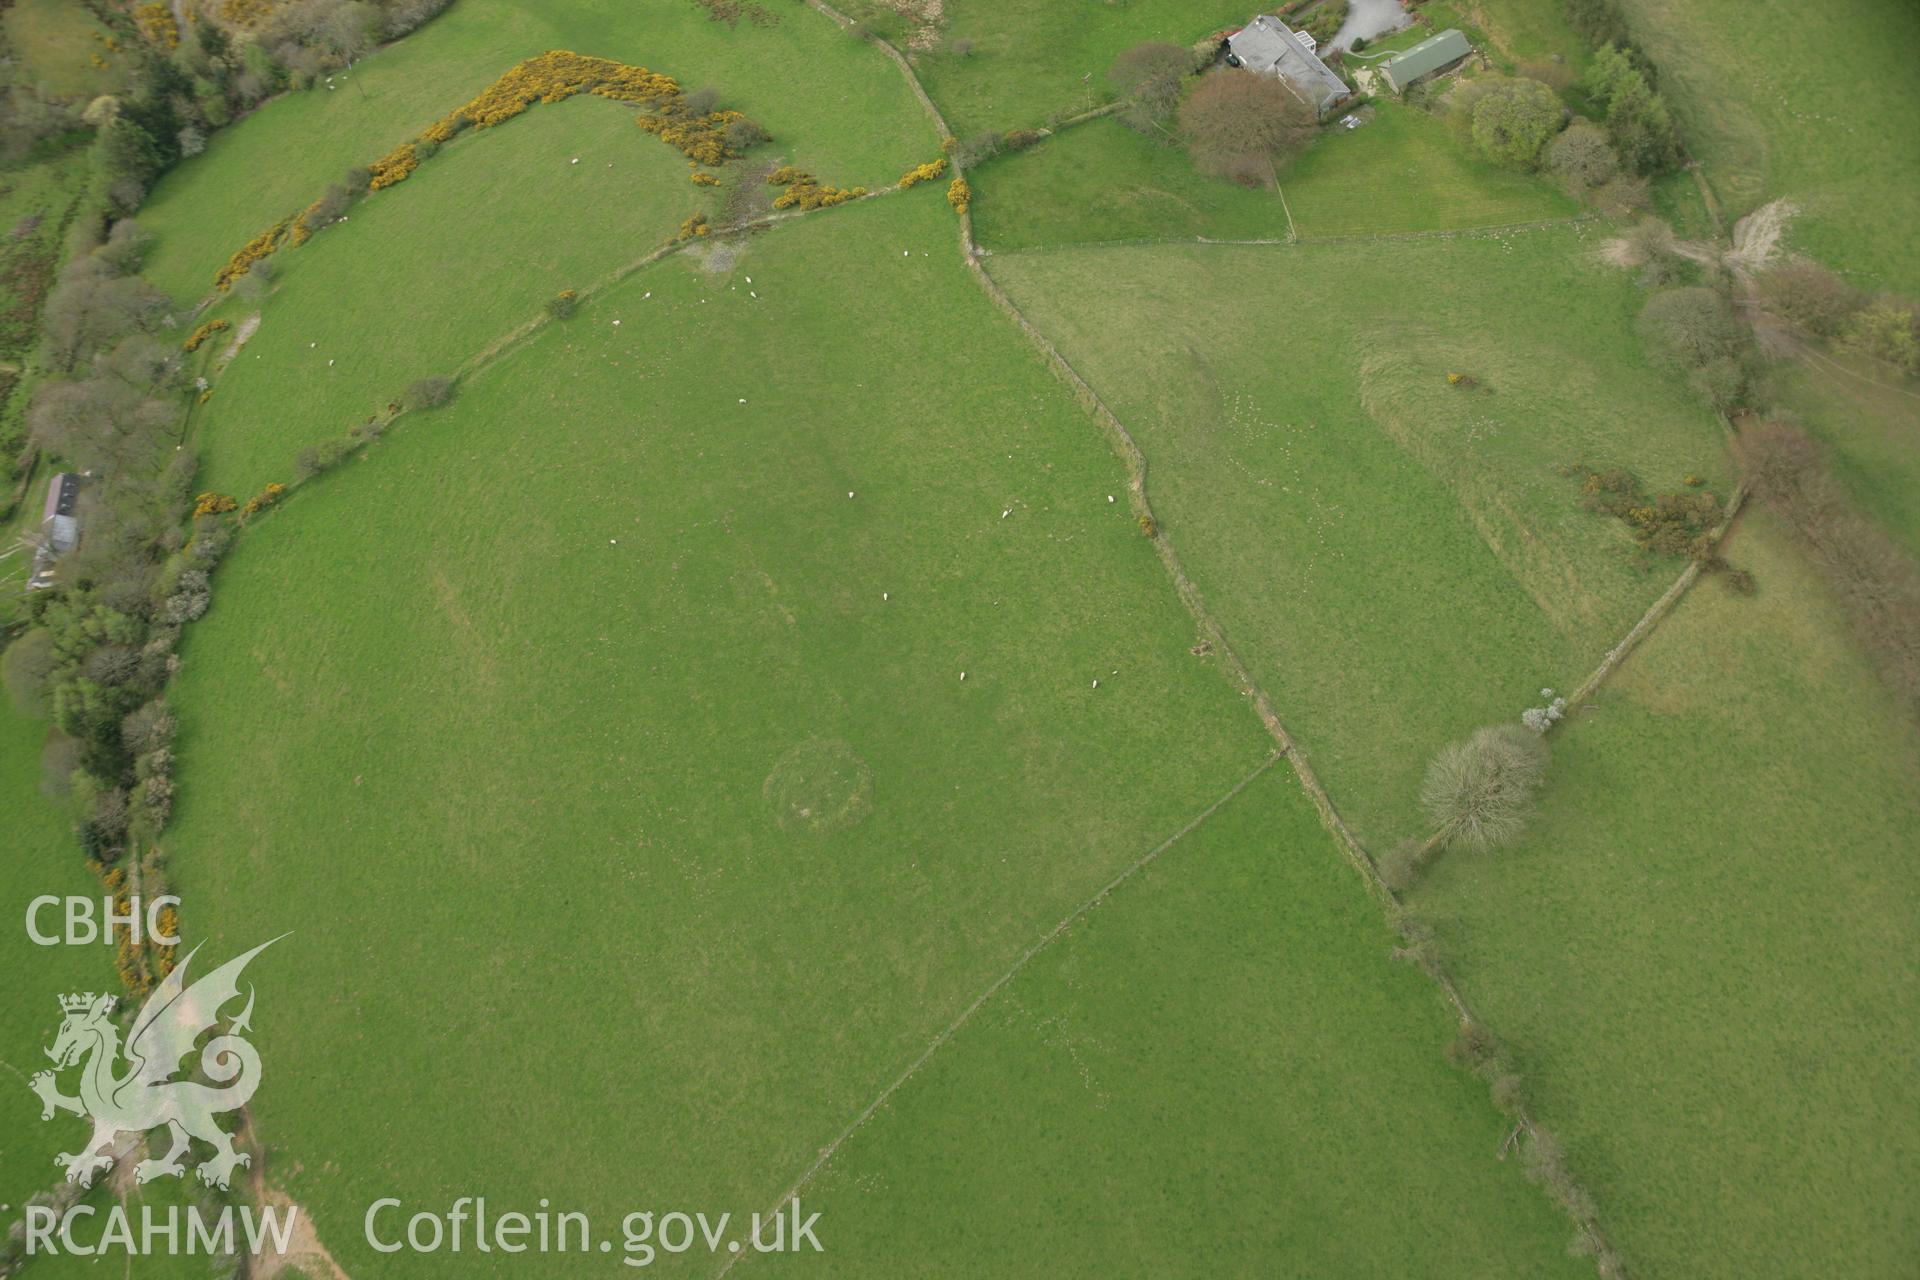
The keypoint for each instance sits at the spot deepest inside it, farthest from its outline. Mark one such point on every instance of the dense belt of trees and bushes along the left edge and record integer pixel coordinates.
(95, 653)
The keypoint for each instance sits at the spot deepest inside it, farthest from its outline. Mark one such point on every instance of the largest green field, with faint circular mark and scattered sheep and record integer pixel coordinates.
(531, 701)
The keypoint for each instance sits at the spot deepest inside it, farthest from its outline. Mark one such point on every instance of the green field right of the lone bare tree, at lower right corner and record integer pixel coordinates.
(1706, 947)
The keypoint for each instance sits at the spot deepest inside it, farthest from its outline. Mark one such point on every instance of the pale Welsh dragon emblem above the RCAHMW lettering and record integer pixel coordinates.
(139, 1095)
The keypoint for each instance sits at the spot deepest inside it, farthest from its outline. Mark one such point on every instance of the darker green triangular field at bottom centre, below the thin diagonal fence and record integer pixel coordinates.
(1214, 1074)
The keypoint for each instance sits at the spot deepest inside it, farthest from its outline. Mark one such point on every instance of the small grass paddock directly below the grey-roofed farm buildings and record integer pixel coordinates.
(1397, 174)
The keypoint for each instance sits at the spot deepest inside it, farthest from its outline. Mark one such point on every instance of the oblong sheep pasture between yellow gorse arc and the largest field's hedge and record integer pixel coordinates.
(431, 273)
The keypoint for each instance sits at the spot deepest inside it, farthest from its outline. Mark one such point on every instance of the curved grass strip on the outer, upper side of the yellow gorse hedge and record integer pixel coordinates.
(832, 105)
